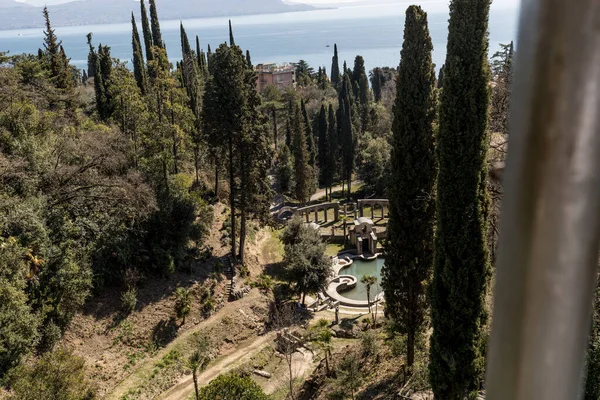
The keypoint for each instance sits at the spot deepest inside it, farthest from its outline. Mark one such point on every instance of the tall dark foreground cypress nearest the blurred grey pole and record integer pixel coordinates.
(461, 266)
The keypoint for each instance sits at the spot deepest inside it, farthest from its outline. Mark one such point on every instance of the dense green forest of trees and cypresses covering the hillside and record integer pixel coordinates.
(109, 177)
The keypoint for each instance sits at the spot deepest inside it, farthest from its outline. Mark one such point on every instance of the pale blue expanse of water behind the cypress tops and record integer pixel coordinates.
(374, 32)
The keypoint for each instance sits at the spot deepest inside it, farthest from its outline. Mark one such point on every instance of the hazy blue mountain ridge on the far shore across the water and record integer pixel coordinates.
(15, 15)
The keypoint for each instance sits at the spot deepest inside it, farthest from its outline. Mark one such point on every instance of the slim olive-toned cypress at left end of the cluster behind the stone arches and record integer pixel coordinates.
(302, 171)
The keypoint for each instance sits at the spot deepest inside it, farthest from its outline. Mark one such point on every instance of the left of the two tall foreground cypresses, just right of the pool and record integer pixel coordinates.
(409, 245)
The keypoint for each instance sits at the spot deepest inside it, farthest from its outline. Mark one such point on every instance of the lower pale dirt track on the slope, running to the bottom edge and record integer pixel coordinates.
(242, 354)
